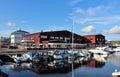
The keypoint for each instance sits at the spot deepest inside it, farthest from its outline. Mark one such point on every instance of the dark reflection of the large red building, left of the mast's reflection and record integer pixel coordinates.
(56, 66)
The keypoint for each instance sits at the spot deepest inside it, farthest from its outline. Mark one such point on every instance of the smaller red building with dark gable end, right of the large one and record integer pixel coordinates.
(96, 40)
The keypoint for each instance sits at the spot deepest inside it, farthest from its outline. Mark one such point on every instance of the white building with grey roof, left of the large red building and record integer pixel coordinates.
(16, 37)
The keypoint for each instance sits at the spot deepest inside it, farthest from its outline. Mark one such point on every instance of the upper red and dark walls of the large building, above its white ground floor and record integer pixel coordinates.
(63, 36)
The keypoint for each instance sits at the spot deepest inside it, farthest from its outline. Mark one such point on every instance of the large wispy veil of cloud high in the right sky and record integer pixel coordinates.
(100, 15)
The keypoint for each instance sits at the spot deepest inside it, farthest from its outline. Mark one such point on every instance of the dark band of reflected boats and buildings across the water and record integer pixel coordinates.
(56, 66)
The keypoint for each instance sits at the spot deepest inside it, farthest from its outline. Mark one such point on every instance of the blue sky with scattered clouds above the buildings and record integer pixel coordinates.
(88, 16)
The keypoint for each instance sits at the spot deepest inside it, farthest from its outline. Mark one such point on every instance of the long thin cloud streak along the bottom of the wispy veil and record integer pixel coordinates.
(98, 20)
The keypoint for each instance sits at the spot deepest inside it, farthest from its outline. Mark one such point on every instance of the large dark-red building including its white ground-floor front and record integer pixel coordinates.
(55, 39)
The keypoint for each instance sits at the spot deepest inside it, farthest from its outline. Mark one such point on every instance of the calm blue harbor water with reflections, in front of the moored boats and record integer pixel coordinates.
(96, 66)
